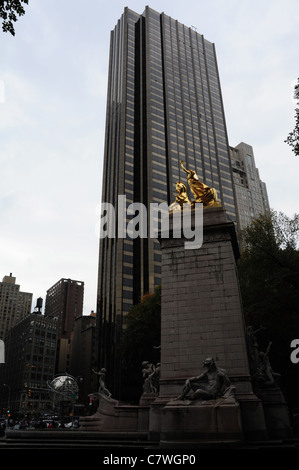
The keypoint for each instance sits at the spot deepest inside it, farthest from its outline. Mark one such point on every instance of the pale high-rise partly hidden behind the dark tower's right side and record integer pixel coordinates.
(251, 192)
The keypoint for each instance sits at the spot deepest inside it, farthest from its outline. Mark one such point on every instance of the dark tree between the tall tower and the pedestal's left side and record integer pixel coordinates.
(140, 340)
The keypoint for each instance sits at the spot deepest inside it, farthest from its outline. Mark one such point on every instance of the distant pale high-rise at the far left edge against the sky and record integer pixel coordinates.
(14, 304)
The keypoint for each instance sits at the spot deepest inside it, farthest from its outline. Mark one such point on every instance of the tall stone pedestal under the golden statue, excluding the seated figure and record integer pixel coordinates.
(202, 317)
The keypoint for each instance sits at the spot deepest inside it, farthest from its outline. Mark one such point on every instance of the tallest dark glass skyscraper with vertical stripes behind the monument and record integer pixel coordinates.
(164, 105)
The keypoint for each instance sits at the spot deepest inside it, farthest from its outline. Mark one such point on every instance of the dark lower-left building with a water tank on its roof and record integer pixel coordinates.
(30, 349)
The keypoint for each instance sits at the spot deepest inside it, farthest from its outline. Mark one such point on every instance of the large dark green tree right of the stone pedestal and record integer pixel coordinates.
(269, 281)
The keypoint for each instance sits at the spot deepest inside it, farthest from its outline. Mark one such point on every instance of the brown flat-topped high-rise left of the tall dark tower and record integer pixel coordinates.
(64, 300)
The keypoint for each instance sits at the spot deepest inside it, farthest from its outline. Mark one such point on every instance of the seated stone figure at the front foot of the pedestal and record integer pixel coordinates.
(211, 384)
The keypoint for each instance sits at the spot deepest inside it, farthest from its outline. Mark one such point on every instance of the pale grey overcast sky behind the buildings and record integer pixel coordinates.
(53, 80)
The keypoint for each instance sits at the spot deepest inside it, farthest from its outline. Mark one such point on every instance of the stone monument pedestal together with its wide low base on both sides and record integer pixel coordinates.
(201, 317)
